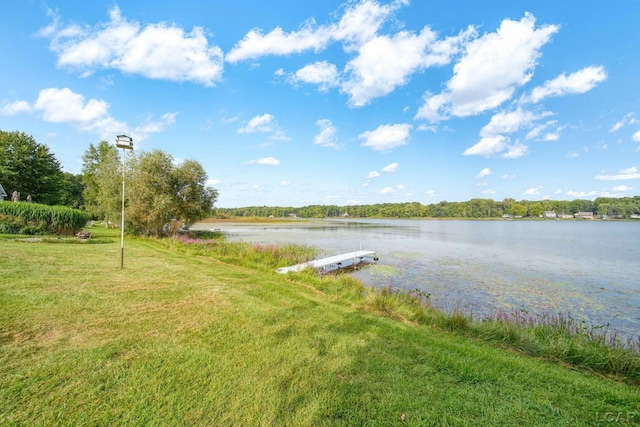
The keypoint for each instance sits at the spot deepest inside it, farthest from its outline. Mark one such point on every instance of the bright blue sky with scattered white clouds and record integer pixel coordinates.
(293, 103)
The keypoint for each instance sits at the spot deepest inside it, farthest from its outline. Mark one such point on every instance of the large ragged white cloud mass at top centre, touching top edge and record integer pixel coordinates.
(380, 62)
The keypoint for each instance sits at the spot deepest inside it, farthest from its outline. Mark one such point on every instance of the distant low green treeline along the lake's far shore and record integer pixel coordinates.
(602, 207)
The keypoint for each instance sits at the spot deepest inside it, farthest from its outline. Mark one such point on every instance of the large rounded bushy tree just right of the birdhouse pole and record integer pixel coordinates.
(163, 197)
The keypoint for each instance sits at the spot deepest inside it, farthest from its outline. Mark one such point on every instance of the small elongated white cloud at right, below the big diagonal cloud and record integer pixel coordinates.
(579, 82)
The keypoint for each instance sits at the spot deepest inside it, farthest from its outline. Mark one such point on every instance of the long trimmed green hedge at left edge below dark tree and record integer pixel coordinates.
(34, 218)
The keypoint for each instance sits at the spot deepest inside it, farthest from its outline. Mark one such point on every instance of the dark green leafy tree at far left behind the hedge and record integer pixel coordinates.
(29, 168)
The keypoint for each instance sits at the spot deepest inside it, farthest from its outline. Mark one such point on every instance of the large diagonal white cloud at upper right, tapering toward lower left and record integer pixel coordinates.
(490, 71)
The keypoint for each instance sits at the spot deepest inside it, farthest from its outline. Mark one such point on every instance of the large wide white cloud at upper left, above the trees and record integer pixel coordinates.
(156, 51)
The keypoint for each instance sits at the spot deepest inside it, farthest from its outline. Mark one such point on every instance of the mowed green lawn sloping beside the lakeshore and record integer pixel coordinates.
(176, 339)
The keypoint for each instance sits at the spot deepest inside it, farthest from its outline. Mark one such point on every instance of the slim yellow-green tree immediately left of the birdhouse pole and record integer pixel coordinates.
(102, 178)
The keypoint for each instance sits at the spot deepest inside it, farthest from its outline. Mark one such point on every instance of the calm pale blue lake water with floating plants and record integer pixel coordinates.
(589, 269)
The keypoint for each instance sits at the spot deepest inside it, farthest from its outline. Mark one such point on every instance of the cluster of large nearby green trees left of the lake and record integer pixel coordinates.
(161, 197)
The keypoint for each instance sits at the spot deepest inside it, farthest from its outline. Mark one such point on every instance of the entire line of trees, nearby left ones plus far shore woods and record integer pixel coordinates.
(162, 196)
